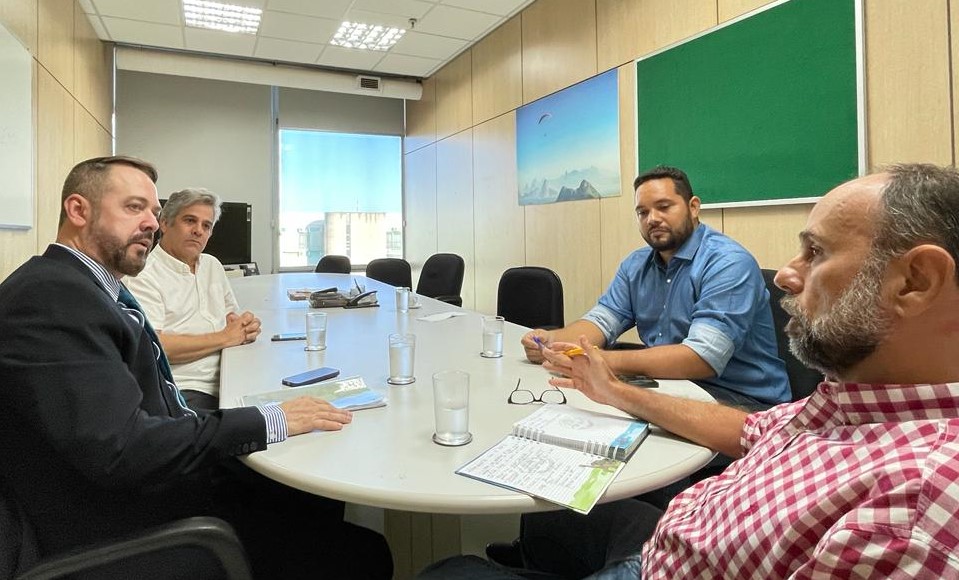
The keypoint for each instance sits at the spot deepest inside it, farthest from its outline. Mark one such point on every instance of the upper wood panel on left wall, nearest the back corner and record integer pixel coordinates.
(93, 71)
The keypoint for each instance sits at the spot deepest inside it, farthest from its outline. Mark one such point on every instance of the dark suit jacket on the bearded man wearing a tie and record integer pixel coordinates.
(88, 446)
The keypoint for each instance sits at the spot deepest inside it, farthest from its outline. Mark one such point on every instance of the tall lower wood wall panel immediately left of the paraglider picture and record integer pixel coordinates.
(499, 221)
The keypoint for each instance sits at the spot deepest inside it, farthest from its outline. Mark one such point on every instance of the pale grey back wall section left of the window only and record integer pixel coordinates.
(203, 133)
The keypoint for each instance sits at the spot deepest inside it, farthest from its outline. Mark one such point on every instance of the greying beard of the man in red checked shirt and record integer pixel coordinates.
(849, 332)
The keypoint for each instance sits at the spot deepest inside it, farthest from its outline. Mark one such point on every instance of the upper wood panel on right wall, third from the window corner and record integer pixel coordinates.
(498, 72)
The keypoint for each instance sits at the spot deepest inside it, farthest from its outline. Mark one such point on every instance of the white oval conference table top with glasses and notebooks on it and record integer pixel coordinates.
(386, 457)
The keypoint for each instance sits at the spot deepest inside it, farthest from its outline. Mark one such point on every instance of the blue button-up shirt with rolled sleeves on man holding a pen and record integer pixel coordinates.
(712, 298)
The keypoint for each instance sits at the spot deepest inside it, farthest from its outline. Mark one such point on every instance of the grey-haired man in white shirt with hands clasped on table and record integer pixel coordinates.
(186, 296)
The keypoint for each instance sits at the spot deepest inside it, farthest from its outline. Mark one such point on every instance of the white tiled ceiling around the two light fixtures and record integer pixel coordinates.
(299, 31)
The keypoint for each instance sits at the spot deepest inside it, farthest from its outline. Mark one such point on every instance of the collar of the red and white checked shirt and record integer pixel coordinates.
(861, 403)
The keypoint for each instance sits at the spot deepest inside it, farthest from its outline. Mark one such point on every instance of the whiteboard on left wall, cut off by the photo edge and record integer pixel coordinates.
(16, 134)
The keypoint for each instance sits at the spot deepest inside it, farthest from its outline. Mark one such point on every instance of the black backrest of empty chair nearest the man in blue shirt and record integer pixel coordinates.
(531, 296)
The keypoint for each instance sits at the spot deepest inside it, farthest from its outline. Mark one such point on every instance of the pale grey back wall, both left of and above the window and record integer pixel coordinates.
(219, 135)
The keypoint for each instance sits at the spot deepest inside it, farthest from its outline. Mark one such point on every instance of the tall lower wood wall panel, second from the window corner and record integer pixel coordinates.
(454, 204)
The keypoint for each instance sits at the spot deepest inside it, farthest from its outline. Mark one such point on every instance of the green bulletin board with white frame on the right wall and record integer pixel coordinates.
(762, 110)
